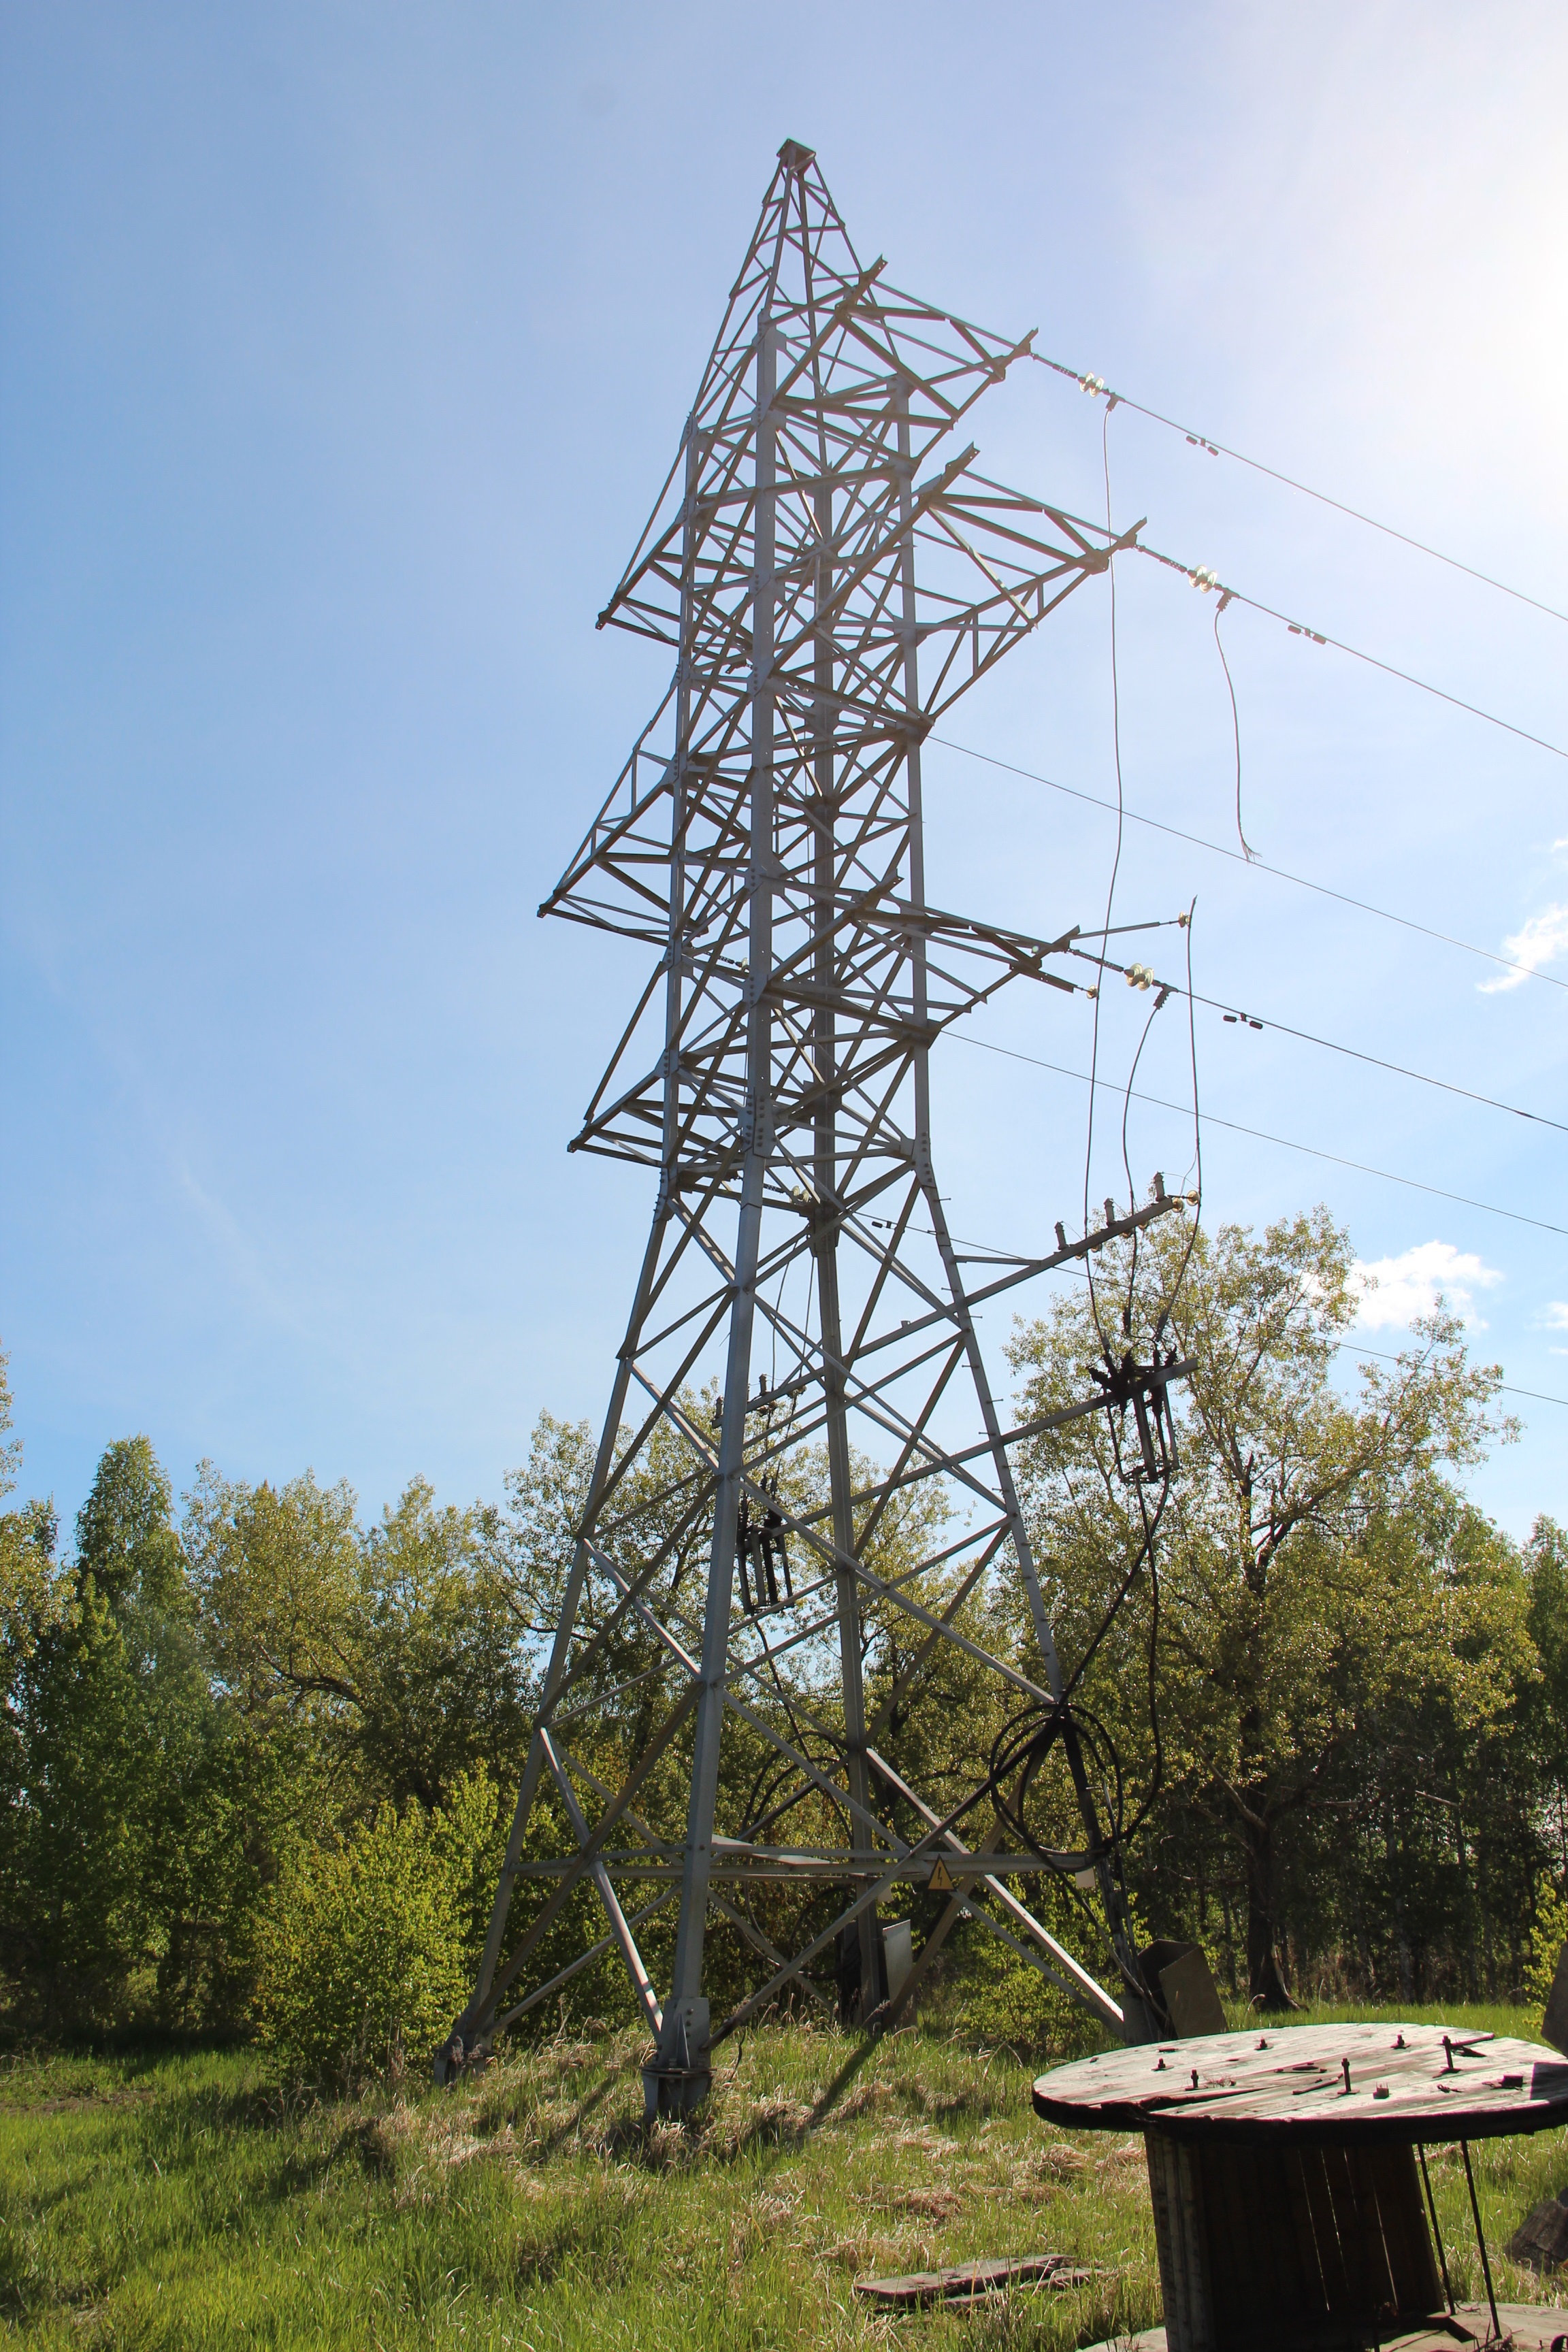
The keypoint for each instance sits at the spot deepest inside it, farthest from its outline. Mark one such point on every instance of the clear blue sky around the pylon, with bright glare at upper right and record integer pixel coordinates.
(344, 354)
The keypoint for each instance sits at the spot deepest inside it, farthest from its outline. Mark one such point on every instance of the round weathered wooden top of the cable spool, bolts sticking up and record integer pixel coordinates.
(1289, 2083)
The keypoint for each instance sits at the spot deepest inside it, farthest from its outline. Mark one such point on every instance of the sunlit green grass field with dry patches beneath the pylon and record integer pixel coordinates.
(187, 2203)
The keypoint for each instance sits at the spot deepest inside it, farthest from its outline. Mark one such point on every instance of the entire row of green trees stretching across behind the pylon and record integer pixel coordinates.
(1332, 1713)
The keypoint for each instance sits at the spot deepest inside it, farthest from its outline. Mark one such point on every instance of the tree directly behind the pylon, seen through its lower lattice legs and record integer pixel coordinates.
(662, 1514)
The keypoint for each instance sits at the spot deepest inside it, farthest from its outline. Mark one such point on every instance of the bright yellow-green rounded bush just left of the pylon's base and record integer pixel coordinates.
(368, 1946)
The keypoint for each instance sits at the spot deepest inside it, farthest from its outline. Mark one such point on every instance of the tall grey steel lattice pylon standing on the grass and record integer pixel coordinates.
(831, 582)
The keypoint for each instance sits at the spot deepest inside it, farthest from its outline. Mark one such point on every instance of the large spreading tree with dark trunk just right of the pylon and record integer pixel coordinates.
(1294, 1598)
